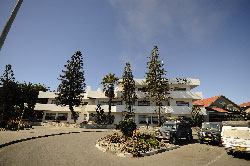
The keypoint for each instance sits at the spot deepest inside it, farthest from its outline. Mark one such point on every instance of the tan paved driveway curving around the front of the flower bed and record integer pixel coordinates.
(79, 149)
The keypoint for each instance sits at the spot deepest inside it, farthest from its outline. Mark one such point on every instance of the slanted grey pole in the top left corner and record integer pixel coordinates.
(9, 23)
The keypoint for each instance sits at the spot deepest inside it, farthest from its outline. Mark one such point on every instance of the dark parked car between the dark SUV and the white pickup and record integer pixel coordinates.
(210, 133)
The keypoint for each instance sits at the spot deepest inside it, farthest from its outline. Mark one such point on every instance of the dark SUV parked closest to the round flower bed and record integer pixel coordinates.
(175, 131)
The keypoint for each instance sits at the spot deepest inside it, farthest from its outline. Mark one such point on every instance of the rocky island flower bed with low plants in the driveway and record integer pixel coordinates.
(136, 145)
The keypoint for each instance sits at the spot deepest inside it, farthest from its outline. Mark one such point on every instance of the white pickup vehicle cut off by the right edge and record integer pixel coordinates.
(236, 136)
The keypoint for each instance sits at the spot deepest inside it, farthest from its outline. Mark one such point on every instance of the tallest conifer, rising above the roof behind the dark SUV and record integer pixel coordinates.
(157, 85)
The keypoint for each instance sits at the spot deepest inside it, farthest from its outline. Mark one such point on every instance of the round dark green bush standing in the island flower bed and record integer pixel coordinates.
(127, 127)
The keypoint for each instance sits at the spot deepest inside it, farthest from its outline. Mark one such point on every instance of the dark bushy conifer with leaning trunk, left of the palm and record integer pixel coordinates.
(72, 86)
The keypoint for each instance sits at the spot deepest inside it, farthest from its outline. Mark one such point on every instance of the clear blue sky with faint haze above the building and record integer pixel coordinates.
(204, 39)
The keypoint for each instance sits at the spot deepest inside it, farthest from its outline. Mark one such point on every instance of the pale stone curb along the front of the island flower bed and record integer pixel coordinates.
(142, 154)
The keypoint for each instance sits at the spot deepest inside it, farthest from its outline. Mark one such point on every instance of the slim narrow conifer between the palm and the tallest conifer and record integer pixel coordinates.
(128, 92)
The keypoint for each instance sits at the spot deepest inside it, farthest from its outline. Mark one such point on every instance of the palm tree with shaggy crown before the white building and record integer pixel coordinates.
(109, 82)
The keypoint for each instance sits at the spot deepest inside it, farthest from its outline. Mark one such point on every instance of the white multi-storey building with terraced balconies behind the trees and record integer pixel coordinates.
(180, 104)
